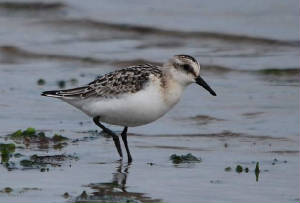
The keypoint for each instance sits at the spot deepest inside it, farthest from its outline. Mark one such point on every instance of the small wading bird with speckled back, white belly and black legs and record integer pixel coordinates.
(134, 96)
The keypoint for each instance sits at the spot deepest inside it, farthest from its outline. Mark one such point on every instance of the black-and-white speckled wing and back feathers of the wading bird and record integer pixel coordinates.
(128, 80)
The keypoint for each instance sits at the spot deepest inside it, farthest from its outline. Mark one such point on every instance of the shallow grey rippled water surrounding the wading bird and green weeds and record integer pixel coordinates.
(249, 54)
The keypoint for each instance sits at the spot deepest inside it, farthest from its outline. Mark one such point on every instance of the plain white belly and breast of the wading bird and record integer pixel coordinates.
(129, 110)
